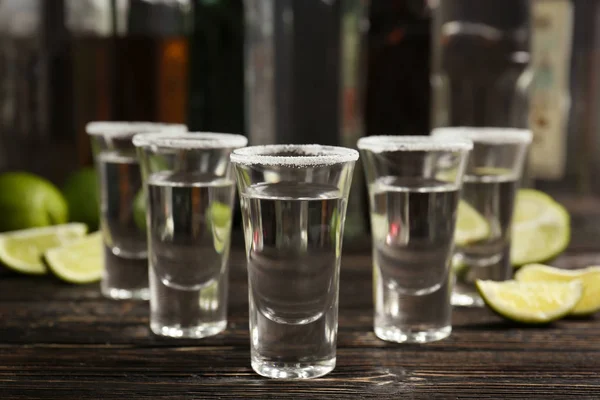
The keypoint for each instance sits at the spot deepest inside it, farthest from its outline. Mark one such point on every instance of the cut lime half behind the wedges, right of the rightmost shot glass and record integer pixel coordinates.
(541, 228)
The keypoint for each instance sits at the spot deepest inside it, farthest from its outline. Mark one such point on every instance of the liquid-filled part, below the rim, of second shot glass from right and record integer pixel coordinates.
(413, 223)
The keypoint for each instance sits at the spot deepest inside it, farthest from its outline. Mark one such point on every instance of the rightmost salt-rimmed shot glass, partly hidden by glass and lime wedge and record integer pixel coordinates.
(490, 183)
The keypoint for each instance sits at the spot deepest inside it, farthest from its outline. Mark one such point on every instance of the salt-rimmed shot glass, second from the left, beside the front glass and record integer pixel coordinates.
(190, 189)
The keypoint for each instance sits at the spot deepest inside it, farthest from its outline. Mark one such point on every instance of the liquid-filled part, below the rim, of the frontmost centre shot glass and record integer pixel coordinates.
(293, 234)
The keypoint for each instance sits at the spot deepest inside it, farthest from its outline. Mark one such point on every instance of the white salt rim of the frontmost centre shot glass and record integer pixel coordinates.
(293, 155)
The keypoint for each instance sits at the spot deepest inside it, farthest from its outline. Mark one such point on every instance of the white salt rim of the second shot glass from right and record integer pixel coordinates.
(382, 144)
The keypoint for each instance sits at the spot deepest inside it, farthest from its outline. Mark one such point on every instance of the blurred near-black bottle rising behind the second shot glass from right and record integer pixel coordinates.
(398, 90)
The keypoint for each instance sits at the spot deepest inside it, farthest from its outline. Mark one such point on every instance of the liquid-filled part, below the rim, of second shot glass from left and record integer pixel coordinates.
(189, 234)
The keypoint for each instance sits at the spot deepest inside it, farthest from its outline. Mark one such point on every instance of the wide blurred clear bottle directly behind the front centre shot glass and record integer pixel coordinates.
(305, 78)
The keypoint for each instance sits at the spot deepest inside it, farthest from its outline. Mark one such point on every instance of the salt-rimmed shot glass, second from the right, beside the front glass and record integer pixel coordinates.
(414, 189)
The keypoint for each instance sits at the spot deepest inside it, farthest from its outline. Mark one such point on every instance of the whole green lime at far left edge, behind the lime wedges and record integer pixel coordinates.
(30, 201)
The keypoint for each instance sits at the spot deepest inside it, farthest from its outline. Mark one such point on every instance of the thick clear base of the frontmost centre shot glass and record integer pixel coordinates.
(281, 370)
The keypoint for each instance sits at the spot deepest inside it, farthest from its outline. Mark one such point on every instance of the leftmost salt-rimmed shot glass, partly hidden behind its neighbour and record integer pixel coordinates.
(121, 206)
